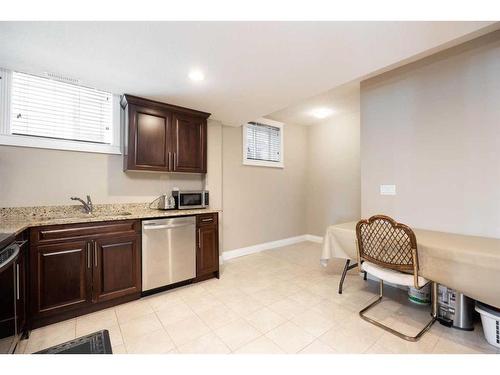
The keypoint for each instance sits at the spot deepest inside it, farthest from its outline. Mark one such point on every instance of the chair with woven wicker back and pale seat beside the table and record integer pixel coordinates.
(388, 250)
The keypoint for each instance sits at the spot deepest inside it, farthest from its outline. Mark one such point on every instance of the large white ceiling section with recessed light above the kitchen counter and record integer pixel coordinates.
(251, 68)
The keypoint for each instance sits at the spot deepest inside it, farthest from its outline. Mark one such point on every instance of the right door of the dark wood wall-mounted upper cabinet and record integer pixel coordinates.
(189, 144)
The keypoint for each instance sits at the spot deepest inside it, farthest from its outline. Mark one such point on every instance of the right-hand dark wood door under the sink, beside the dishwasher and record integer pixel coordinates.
(117, 267)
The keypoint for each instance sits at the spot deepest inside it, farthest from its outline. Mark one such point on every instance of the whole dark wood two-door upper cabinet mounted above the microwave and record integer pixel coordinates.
(163, 137)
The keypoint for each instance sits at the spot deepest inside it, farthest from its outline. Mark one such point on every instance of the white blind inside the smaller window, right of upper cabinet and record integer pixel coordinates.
(263, 142)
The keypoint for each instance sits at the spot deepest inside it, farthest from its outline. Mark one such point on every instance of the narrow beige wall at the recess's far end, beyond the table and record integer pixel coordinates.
(333, 173)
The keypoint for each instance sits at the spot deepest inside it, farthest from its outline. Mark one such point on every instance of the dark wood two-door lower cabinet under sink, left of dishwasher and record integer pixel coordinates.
(79, 268)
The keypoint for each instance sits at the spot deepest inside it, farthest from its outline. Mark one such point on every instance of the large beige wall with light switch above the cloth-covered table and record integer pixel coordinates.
(433, 129)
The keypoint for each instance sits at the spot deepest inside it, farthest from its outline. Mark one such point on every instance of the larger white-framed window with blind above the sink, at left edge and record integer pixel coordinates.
(57, 113)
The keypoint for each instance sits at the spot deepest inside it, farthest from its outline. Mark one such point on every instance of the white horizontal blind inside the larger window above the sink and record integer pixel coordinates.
(43, 107)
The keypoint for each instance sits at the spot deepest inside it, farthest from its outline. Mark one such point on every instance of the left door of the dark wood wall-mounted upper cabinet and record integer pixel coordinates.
(149, 139)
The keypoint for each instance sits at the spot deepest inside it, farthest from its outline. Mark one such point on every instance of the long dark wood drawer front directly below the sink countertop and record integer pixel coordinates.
(73, 231)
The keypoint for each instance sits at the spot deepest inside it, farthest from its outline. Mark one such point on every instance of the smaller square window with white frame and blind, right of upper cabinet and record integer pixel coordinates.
(263, 143)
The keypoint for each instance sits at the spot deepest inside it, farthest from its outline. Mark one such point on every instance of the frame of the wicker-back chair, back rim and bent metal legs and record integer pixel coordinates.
(413, 265)
